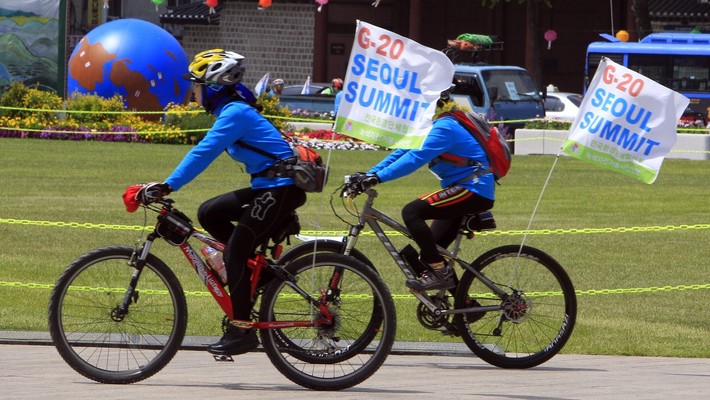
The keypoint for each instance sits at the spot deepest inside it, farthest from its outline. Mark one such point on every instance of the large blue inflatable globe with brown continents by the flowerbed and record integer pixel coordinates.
(136, 59)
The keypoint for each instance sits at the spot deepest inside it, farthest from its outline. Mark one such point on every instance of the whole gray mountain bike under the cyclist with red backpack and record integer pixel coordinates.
(514, 306)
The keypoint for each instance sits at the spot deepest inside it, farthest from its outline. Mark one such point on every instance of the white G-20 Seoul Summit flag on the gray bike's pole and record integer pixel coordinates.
(626, 122)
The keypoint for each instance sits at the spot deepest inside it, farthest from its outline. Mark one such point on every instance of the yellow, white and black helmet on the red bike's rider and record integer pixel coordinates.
(217, 66)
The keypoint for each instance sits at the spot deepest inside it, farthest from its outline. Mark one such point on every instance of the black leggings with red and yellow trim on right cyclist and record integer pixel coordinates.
(446, 208)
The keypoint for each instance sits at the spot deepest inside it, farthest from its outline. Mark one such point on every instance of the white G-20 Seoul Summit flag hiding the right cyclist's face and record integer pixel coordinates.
(391, 88)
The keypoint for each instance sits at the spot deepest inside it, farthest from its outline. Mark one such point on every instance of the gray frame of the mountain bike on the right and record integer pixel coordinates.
(372, 217)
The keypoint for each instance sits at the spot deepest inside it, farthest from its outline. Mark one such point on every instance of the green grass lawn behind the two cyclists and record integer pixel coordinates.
(635, 252)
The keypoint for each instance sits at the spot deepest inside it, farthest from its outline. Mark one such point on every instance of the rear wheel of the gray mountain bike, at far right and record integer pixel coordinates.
(537, 321)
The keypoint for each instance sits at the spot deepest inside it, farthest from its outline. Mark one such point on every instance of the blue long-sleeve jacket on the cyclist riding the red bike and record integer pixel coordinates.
(236, 120)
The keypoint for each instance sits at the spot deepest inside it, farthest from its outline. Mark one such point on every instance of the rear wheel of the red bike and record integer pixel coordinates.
(339, 355)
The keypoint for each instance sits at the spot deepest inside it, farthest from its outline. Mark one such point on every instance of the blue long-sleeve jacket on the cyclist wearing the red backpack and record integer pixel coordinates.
(445, 136)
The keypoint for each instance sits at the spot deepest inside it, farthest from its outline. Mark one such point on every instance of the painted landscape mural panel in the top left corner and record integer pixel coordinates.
(30, 43)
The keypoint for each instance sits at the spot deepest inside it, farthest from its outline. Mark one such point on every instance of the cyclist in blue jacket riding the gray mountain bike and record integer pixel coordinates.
(465, 189)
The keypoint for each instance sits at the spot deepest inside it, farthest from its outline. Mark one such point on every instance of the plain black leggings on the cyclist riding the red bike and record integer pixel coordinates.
(257, 214)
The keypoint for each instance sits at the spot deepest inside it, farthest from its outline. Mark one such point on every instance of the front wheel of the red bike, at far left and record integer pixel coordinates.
(102, 345)
